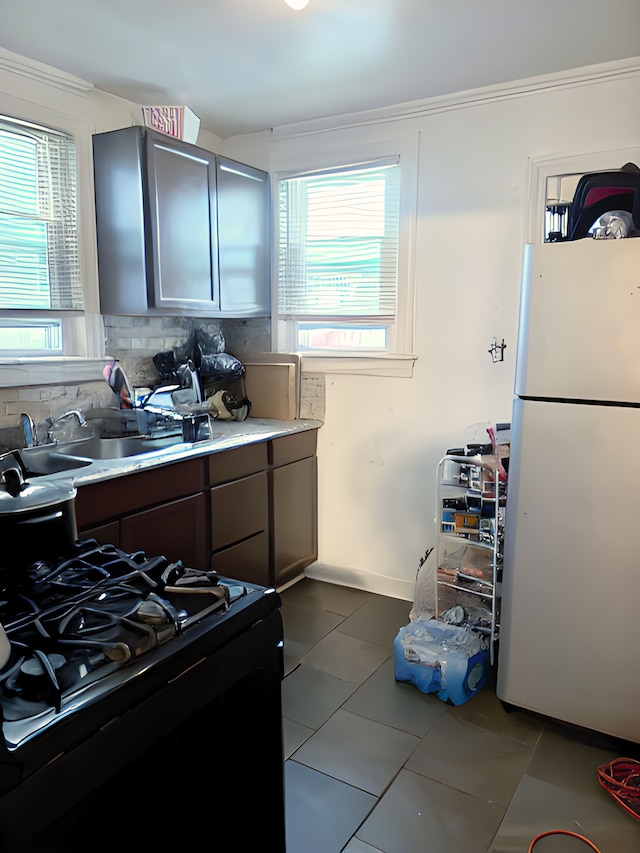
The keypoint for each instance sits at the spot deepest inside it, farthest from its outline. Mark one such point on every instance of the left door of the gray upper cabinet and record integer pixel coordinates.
(182, 214)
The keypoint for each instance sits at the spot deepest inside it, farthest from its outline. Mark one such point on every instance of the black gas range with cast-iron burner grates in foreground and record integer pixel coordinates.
(127, 680)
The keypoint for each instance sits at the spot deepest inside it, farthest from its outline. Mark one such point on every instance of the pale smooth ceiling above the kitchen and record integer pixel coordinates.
(249, 65)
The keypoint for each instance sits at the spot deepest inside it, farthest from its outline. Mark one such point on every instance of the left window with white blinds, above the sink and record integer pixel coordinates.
(39, 260)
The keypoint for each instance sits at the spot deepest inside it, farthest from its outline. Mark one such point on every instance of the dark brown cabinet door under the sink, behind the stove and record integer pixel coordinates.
(176, 530)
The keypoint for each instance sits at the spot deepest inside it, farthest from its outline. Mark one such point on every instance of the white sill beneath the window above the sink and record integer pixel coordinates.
(17, 372)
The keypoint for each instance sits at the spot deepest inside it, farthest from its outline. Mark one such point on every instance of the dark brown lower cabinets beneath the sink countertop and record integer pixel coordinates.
(250, 512)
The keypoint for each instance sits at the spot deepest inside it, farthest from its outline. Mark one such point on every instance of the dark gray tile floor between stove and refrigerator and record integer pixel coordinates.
(375, 765)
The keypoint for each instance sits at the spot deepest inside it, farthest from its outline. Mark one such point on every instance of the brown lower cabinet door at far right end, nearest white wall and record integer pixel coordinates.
(295, 529)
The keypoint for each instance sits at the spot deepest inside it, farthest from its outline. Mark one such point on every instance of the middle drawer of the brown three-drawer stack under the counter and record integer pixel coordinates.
(239, 510)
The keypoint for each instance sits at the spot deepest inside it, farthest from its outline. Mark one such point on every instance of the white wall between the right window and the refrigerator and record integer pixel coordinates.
(382, 437)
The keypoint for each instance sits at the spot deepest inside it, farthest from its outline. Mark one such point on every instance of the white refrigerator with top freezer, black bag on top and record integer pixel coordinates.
(570, 615)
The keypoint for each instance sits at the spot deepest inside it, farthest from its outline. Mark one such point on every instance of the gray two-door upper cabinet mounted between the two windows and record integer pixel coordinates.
(162, 244)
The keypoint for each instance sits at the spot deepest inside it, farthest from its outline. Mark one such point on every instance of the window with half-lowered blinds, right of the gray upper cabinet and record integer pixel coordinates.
(338, 240)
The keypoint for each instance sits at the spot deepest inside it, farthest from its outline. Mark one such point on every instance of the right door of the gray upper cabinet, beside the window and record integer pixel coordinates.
(243, 239)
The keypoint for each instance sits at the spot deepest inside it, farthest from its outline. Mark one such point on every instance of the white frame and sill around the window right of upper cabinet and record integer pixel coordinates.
(298, 156)
